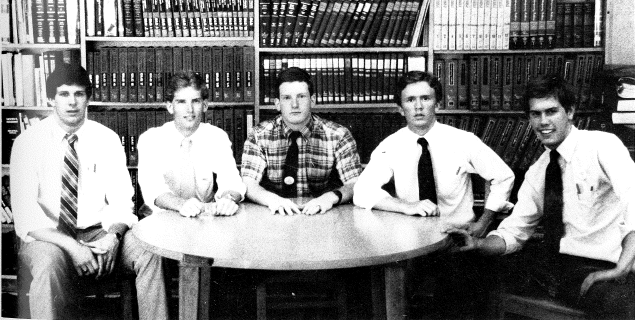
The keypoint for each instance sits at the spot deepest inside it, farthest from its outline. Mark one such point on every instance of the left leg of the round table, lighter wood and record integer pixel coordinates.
(194, 287)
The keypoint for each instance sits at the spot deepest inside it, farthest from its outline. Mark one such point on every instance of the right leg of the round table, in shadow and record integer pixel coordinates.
(394, 275)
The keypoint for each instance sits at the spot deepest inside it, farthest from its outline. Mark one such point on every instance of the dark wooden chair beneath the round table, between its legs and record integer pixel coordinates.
(300, 291)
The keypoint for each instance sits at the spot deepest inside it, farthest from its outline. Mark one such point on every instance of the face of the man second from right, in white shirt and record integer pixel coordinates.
(418, 103)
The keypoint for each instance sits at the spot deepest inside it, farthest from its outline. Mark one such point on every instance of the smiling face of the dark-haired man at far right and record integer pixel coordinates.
(550, 121)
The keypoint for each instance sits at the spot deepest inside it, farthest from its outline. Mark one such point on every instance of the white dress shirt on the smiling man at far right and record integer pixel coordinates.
(598, 178)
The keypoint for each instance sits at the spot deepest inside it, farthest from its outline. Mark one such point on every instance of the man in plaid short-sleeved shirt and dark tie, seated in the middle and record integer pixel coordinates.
(299, 154)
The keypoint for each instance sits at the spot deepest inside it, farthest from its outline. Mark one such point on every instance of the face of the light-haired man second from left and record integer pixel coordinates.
(188, 108)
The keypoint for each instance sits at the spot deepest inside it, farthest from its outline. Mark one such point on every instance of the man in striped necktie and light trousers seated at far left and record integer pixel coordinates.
(71, 195)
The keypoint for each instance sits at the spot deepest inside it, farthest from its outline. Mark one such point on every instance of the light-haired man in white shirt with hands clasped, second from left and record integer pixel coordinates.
(183, 162)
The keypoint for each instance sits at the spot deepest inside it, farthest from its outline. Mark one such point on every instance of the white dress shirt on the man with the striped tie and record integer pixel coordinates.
(105, 191)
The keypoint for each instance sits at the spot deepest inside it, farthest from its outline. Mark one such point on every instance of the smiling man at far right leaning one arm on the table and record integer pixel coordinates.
(581, 191)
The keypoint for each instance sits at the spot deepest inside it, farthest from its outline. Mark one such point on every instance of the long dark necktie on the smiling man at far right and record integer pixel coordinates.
(552, 217)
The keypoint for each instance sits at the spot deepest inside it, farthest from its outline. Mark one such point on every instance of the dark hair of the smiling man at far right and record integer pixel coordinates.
(550, 85)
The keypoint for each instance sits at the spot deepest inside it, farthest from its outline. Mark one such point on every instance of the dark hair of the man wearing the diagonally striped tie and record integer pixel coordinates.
(68, 74)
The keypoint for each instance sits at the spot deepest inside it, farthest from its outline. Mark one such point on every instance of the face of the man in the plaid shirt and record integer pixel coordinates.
(295, 103)
